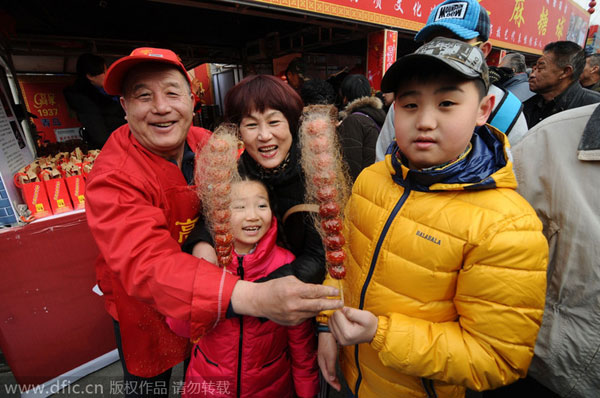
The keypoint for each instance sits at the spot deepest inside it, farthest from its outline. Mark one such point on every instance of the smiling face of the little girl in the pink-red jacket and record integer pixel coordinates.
(250, 214)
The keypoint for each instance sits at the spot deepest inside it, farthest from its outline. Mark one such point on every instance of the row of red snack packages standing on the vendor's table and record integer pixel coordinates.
(55, 184)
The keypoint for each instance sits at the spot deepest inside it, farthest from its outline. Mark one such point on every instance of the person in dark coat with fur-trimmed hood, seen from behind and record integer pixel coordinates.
(362, 119)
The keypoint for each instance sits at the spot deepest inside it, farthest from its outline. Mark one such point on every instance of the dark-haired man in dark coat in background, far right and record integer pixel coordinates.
(555, 80)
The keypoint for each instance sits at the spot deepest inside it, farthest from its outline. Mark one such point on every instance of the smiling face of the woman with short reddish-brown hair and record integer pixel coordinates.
(267, 137)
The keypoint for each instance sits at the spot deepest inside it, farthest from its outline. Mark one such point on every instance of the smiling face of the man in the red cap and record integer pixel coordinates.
(159, 108)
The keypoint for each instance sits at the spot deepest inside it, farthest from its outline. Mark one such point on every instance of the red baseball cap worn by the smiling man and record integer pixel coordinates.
(113, 80)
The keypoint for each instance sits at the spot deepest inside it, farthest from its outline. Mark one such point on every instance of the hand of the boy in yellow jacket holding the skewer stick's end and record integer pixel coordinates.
(351, 326)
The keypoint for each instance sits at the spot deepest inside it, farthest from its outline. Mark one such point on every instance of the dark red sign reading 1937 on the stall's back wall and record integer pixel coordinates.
(45, 100)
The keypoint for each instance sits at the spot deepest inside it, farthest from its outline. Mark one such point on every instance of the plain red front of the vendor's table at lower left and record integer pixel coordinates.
(50, 320)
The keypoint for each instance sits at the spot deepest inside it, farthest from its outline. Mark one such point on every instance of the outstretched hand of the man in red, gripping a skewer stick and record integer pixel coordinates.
(286, 301)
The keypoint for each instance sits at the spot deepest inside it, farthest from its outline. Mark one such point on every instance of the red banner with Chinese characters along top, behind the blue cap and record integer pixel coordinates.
(522, 25)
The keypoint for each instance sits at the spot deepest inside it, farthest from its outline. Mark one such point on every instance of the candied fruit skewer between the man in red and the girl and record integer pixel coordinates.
(216, 169)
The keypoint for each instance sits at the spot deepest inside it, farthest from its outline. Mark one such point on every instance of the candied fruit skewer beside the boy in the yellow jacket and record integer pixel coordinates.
(327, 182)
